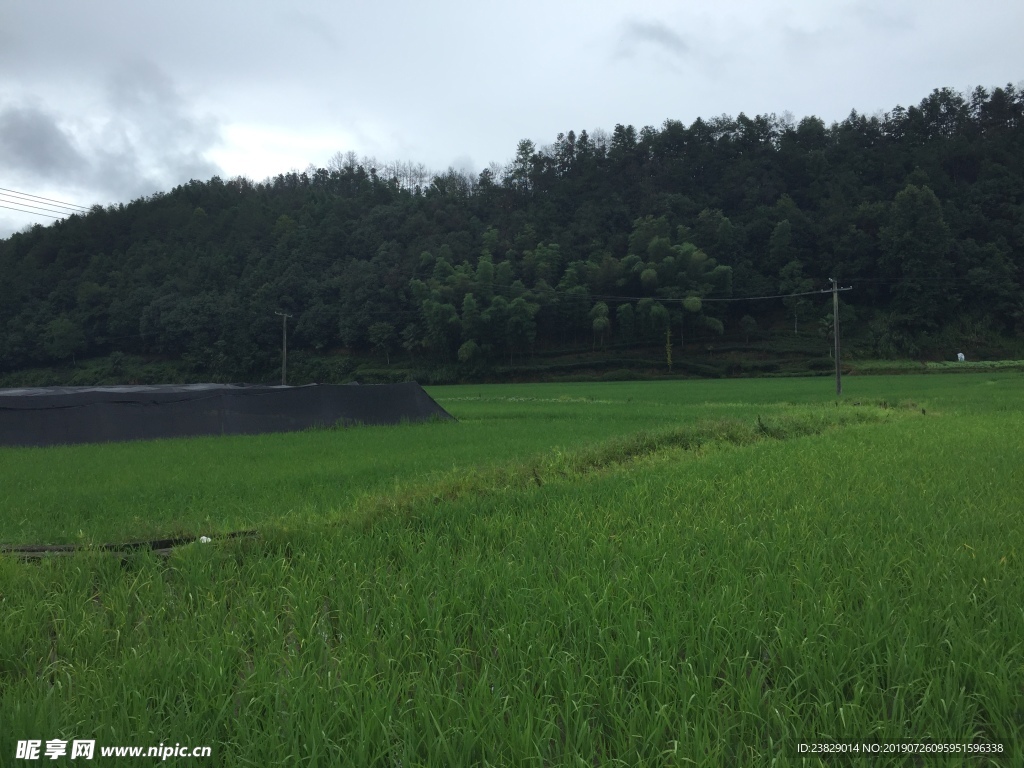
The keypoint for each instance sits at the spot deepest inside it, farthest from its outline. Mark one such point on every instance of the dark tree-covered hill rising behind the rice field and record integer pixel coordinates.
(604, 241)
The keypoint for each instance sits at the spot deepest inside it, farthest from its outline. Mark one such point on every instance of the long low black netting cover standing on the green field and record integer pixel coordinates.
(53, 416)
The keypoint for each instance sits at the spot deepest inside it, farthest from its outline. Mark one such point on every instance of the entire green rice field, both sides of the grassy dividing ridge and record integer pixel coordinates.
(636, 574)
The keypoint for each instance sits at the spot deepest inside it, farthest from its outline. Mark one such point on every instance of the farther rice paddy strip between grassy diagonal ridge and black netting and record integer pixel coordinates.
(105, 493)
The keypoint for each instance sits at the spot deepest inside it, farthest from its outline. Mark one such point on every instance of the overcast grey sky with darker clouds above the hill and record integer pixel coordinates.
(107, 101)
